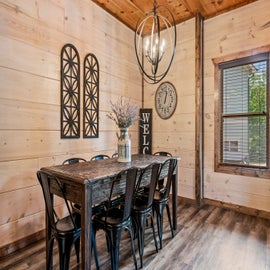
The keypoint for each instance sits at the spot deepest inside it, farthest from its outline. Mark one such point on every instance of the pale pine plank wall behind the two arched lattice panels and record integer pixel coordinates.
(32, 34)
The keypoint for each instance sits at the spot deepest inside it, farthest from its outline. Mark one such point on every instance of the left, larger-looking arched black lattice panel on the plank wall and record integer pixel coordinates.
(70, 92)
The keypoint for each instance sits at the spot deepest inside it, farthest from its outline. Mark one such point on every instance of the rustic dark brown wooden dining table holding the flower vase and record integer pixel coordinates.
(88, 184)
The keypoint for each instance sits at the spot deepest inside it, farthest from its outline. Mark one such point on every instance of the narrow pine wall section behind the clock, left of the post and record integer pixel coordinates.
(177, 134)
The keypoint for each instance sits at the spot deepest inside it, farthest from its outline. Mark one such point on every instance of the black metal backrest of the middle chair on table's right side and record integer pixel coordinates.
(148, 177)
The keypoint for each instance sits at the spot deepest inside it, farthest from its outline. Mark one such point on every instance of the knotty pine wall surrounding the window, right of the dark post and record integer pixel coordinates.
(244, 29)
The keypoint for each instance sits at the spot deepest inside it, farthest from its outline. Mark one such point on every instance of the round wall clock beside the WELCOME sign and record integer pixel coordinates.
(165, 100)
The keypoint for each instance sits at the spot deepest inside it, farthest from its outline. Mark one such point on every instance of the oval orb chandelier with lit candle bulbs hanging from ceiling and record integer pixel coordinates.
(155, 43)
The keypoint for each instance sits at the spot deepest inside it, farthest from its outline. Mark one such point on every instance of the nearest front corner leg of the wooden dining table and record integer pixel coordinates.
(86, 215)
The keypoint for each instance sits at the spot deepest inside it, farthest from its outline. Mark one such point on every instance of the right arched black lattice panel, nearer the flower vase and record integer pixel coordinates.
(91, 97)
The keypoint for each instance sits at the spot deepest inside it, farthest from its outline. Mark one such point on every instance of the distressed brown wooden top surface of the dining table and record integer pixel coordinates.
(83, 172)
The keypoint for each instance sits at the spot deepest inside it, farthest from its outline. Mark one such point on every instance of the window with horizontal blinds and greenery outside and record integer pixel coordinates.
(243, 116)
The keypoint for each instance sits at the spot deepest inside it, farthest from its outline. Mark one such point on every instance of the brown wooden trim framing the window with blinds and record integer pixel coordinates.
(229, 61)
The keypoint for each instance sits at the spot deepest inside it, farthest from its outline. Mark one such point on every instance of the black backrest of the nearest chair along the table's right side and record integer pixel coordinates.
(129, 177)
